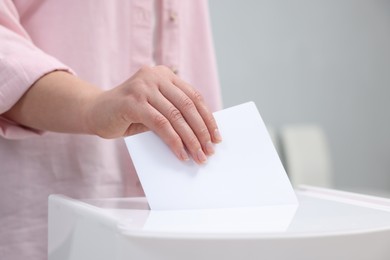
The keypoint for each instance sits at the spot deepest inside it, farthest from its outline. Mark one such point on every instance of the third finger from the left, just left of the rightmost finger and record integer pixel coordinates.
(188, 110)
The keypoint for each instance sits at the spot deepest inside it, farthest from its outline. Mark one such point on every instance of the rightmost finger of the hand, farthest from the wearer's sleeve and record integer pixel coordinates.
(202, 108)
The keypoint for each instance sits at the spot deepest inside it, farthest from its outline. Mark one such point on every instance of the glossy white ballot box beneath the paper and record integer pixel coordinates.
(327, 224)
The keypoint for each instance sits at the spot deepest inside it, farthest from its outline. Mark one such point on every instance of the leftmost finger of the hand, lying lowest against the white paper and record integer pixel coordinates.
(158, 123)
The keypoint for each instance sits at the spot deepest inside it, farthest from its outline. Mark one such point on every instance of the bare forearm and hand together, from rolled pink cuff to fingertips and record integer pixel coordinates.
(153, 98)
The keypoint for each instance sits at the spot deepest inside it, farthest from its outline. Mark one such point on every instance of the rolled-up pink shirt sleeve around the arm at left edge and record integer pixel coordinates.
(21, 65)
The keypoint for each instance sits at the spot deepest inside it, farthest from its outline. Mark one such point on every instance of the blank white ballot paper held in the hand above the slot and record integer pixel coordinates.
(245, 170)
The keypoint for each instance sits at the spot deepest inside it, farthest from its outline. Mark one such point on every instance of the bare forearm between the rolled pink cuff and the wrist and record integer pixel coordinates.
(56, 102)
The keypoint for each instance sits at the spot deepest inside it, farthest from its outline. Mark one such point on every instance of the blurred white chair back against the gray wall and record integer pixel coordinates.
(306, 155)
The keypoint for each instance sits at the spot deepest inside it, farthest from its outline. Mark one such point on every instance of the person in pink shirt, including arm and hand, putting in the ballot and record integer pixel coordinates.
(77, 75)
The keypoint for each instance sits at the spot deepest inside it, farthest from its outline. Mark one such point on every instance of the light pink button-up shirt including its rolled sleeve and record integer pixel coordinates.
(103, 42)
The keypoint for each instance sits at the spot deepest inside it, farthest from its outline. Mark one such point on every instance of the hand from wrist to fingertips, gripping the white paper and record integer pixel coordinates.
(156, 99)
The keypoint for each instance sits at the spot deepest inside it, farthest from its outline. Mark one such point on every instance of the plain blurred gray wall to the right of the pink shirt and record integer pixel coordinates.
(309, 61)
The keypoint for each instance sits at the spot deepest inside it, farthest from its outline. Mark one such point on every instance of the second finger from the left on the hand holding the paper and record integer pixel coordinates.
(180, 125)
